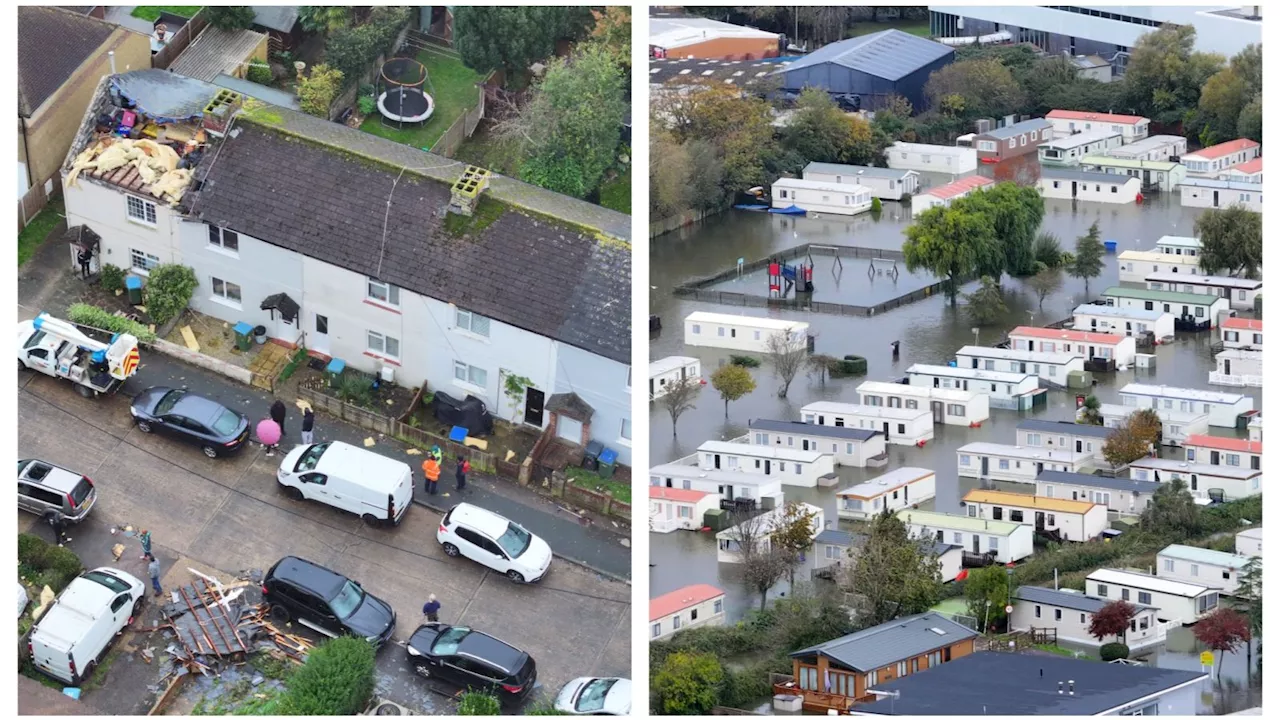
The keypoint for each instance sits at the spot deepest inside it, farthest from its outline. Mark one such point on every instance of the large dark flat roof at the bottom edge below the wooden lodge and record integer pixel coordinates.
(1005, 683)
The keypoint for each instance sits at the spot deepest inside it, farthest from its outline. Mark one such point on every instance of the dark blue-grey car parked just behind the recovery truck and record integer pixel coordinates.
(190, 417)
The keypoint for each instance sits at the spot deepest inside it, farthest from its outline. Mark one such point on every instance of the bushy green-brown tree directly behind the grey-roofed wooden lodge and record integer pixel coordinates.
(894, 573)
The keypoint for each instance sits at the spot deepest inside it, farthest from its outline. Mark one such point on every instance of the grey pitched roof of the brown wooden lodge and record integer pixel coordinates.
(888, 644)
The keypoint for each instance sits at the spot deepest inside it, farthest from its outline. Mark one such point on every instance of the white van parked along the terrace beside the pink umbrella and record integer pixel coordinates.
(350, 479)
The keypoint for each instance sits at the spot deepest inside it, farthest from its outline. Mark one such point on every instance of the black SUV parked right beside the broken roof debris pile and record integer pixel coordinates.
(326, 601)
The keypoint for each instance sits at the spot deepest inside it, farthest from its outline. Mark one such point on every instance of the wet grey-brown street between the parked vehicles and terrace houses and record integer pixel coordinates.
(228, 516)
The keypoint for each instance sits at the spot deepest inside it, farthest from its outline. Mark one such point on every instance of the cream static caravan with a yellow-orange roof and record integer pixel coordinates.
(1076, 521)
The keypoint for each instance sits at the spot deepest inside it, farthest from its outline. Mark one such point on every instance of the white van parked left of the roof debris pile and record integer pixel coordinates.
(79, 628)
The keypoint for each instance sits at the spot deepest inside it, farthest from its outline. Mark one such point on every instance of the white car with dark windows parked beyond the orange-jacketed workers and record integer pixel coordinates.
(495, 543)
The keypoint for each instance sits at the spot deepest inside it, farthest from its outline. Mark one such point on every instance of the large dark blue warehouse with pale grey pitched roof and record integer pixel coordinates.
(871, 69)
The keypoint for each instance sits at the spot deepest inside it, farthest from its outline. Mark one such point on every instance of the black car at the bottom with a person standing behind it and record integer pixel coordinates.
(473, 660)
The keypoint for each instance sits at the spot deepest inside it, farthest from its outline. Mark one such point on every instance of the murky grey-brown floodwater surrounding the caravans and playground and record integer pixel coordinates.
(930, 331)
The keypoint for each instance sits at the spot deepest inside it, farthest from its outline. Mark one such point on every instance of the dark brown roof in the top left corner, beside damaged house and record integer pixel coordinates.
(52, 47)
